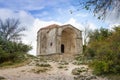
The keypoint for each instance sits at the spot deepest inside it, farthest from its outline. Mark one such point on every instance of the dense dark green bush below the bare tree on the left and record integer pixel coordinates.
(12, 51)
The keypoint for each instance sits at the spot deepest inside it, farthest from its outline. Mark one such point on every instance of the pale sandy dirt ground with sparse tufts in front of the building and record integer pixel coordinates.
(57, 71)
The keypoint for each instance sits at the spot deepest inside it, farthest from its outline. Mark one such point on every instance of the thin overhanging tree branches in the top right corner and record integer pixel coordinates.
(102, 8)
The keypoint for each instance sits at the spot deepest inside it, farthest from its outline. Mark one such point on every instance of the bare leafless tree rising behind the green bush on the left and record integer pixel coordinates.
(10, 29)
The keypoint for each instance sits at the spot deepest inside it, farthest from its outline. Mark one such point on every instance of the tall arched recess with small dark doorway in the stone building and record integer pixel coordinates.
(68, 41)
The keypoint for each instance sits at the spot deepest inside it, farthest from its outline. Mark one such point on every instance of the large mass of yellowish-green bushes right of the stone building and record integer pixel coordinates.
(104, 49)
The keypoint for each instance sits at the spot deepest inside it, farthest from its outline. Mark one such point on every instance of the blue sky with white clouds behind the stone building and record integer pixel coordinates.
(35, 14)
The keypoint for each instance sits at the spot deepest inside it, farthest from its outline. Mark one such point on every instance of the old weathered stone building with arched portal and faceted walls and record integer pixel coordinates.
(55, 39)
